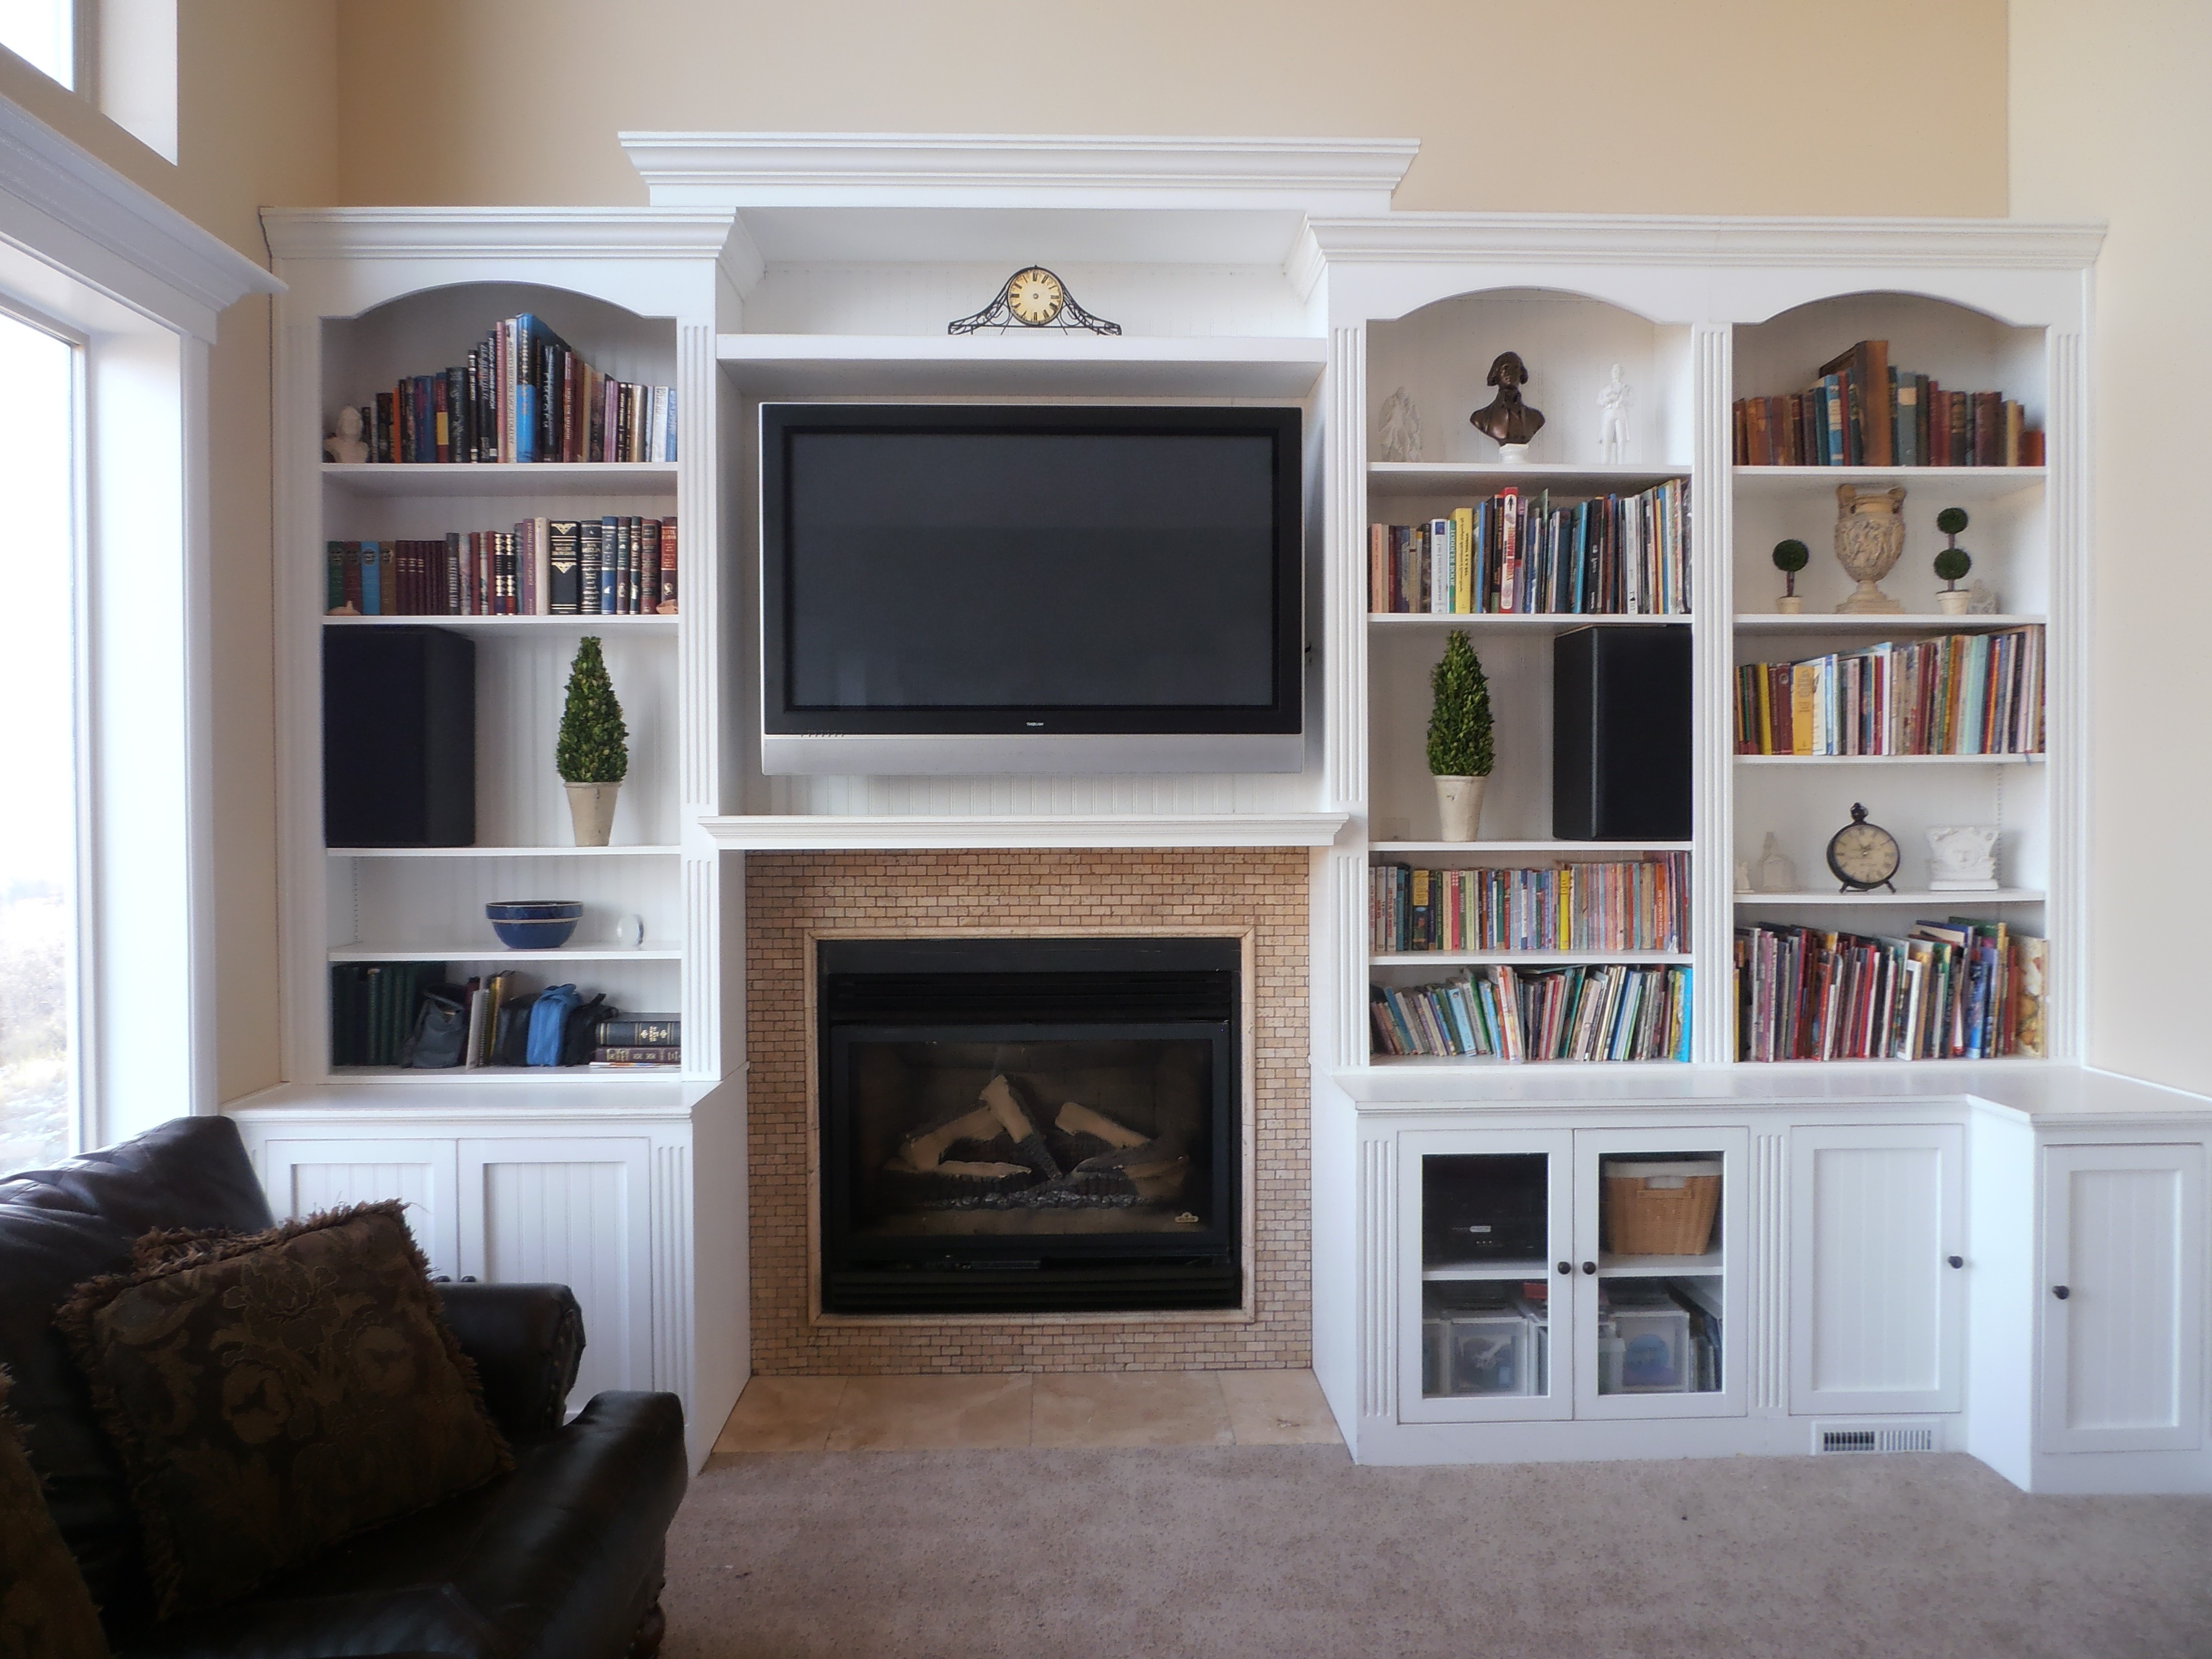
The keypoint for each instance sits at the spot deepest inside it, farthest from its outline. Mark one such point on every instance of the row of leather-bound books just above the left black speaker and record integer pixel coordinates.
(543, 567)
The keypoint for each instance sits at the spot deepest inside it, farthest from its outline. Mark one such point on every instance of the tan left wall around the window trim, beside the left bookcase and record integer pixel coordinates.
(258, 83)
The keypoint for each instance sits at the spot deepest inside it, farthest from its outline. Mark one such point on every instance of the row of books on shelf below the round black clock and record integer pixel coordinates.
(1957, 990)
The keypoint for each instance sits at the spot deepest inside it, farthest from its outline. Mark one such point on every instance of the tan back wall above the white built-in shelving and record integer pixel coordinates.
(1569, 105)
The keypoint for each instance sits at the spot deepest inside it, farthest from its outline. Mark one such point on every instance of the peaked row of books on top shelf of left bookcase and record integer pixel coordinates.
(523, 395)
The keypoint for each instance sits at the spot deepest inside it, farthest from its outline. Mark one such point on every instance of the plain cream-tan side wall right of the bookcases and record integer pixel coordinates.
(2111, 123)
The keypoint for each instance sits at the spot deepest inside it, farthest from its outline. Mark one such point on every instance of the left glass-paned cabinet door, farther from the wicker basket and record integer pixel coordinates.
(1483, 1249)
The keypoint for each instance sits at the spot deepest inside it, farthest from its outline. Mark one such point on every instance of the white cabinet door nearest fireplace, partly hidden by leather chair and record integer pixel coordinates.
(570, 1213)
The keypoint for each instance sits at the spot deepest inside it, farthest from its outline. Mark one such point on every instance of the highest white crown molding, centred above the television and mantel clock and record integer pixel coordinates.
(1019, 171)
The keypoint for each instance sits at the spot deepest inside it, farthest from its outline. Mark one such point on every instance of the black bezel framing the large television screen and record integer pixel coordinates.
(1282, 718)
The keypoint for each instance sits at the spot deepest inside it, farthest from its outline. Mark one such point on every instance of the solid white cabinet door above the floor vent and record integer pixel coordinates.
(1877, 1306)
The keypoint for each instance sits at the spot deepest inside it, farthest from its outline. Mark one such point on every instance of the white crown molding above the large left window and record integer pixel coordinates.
(81, 216)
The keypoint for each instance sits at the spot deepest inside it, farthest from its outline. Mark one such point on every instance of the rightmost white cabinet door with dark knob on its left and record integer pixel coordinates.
(2122, 1300)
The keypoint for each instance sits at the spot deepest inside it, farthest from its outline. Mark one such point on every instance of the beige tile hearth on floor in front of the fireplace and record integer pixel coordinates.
(1056, 1410)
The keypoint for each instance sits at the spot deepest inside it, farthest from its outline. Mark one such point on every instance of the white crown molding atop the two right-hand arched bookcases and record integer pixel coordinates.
(1656, 240)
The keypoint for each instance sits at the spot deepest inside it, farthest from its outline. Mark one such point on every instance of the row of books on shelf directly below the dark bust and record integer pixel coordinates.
(1523, 556)
